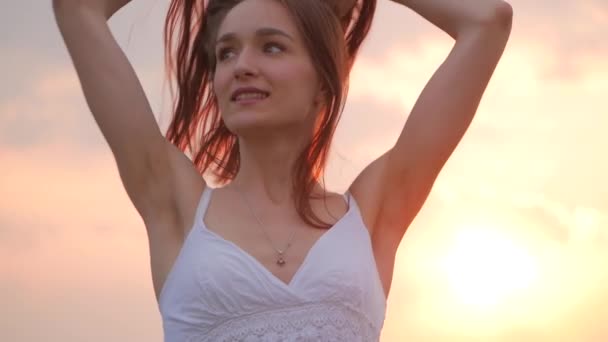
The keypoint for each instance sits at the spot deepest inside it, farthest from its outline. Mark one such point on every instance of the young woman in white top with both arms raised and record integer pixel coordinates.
(271, 255)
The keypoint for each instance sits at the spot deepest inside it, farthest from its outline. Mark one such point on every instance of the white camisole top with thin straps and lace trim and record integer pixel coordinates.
(218, 292)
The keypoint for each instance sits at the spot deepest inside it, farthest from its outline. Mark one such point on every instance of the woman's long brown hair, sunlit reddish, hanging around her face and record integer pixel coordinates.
(197, 128)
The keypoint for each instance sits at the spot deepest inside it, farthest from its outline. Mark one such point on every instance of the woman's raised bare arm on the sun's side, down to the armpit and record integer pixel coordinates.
(394, 187)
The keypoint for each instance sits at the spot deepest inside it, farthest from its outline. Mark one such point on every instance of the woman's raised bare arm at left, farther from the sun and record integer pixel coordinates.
(118, 104)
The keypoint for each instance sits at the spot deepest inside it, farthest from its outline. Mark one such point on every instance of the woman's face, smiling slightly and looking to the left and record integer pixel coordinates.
(259, 46)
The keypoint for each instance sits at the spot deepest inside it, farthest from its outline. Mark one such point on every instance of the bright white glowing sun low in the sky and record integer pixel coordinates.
(486, 268)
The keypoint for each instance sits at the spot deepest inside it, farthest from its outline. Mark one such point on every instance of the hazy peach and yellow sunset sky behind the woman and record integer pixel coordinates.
(512, 244)
